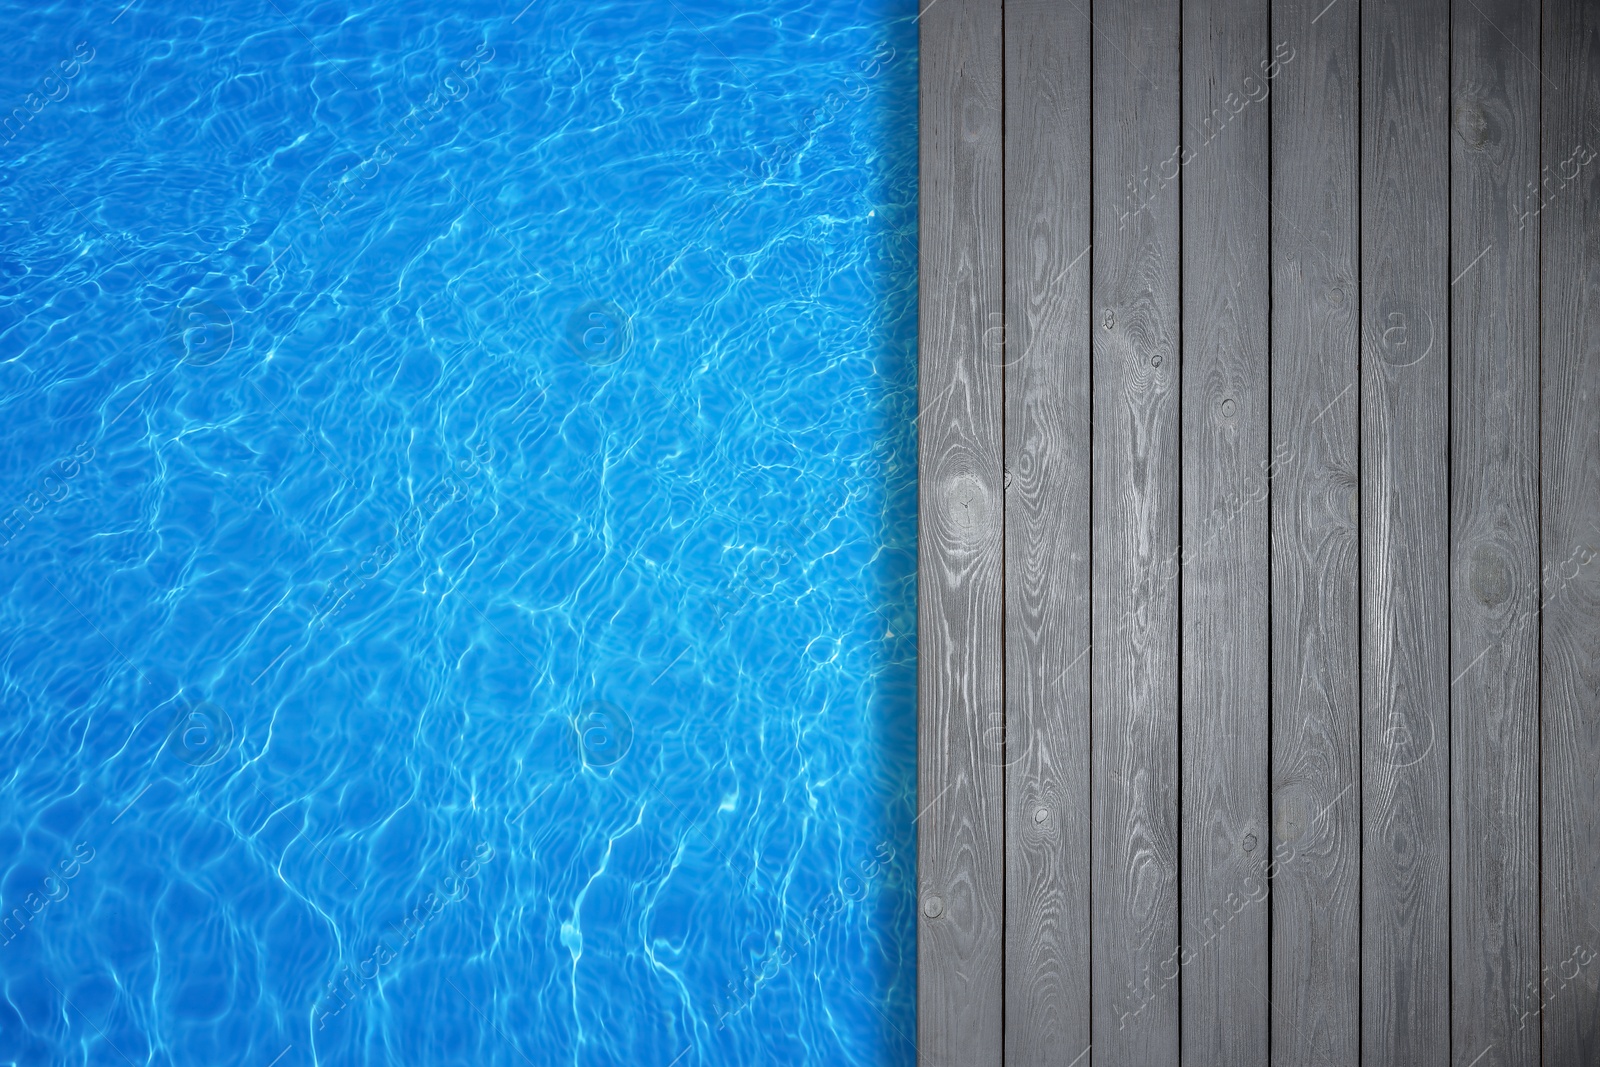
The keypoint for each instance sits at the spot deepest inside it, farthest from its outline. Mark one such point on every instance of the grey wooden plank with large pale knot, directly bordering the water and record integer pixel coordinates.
(961, 540)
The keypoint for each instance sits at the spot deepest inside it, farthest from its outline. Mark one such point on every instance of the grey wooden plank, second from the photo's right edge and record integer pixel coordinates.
(1495, 533)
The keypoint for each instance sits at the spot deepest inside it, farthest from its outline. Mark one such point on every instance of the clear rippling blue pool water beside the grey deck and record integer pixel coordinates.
(458, 486)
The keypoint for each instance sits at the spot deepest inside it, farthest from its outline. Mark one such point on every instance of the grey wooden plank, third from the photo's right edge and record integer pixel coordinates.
(1406, 535)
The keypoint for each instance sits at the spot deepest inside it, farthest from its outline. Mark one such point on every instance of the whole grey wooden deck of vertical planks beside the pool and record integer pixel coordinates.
(1260, 538)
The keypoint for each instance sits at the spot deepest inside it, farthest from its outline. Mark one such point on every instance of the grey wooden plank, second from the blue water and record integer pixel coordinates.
(1047, 503)
